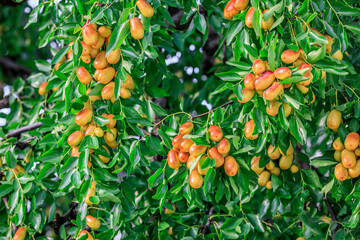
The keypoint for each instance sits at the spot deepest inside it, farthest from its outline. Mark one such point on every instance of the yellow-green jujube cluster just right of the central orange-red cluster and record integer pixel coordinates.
(272, 167)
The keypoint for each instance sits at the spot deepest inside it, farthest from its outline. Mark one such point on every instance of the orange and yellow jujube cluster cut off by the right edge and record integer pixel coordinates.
(347, 153)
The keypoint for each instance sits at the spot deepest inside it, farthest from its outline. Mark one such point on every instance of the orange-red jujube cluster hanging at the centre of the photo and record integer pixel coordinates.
(186, 151)
